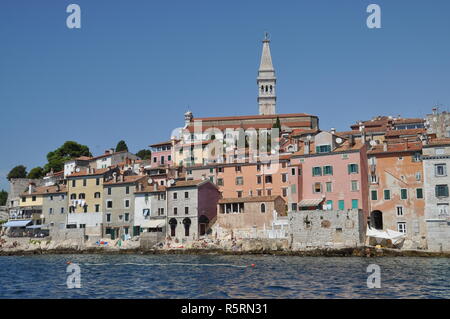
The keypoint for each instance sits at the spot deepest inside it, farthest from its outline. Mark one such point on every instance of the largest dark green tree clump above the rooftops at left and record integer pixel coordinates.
(69, 150)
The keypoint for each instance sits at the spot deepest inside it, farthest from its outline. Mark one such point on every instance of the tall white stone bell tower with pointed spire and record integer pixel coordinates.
(266, 80)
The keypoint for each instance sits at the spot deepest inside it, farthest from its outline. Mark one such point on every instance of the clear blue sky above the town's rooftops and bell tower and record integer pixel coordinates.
(135, 67)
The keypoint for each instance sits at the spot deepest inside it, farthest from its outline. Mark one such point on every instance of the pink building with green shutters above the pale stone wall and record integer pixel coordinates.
(329, 173)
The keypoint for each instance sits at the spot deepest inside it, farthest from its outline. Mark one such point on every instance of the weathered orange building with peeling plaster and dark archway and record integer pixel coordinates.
(396, 193)
